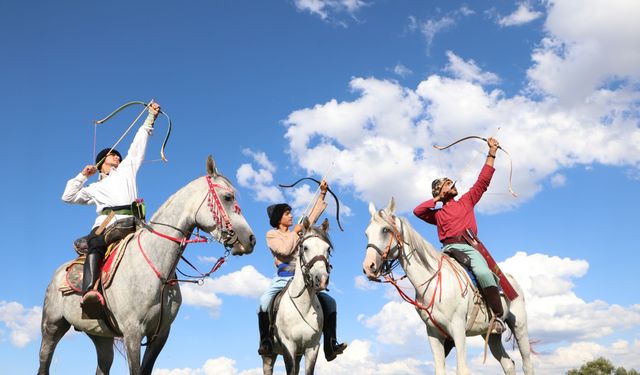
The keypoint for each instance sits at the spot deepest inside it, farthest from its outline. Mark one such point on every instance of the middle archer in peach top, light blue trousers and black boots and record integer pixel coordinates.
(282, 243)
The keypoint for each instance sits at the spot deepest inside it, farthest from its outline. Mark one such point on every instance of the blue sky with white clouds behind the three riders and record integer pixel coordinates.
(284, 89)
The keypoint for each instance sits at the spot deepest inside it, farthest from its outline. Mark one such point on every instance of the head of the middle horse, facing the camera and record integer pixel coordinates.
(314, 249)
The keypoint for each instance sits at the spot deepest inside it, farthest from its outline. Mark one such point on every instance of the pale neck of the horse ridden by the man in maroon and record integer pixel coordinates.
(419, 259)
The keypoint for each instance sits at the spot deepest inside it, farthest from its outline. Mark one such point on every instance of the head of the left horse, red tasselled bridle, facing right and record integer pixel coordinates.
(220, 214)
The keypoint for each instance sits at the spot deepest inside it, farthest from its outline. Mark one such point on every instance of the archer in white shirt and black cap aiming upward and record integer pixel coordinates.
(113, 195)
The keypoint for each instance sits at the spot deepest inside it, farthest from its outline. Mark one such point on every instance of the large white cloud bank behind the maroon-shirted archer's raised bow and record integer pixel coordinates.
(380, 141)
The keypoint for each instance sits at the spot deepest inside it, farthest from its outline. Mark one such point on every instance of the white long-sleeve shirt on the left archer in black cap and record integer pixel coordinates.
(118, 188)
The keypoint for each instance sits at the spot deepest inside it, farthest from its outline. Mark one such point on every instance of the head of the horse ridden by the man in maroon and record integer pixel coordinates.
(384, 241)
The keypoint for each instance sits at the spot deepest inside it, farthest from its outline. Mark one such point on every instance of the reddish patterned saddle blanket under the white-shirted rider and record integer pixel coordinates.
(73, 279)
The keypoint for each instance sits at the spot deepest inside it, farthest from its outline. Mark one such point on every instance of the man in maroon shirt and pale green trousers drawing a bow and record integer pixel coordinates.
(454, 217)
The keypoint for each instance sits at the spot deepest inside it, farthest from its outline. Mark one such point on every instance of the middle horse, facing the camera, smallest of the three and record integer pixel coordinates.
(299, 322)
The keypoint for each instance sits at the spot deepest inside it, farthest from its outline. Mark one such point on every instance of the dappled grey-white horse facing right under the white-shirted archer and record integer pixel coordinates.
(141, 301)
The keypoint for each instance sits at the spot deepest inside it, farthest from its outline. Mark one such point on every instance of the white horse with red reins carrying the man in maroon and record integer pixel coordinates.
(442, 290)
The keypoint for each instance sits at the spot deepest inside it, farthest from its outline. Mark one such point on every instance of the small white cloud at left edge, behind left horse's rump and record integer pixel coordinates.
(23, 323)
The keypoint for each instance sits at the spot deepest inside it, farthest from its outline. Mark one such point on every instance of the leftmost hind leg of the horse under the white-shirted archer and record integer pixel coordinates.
(53, 327)
